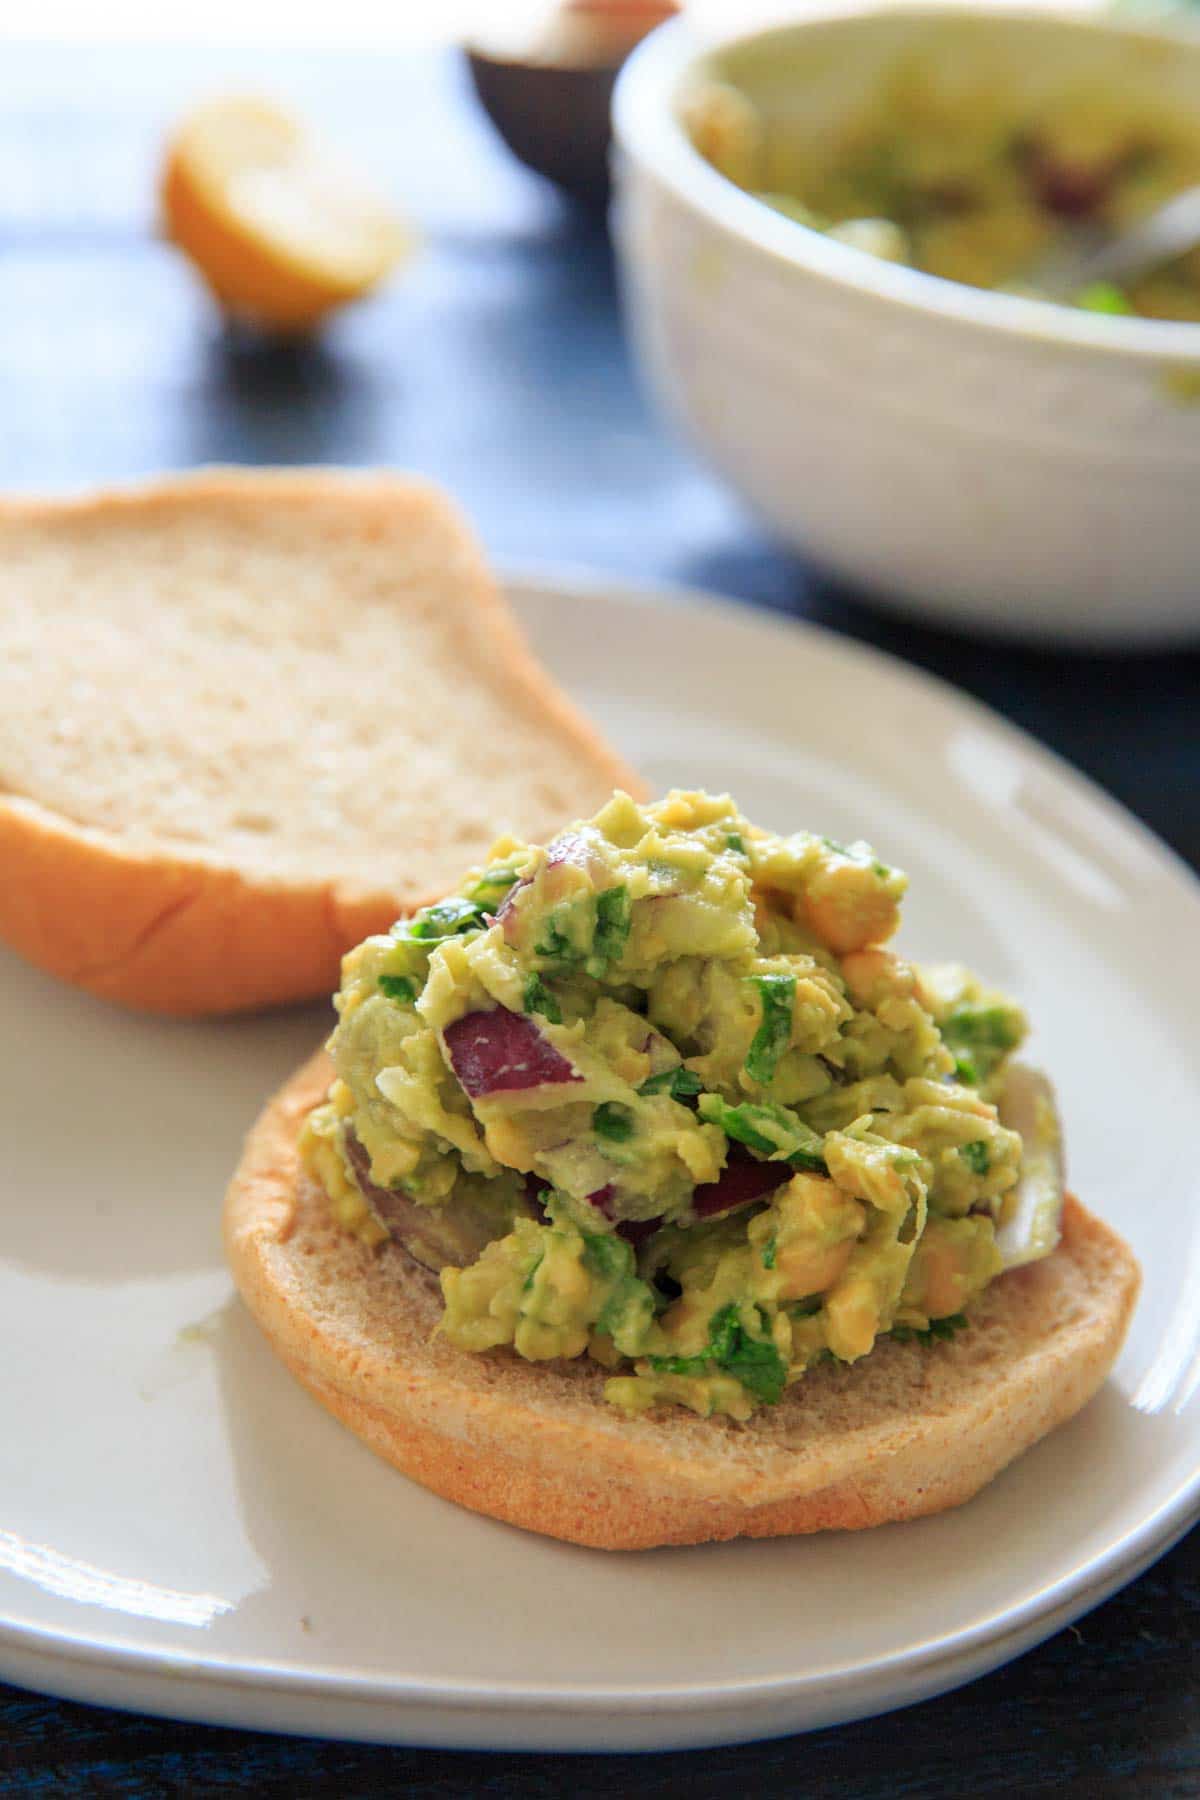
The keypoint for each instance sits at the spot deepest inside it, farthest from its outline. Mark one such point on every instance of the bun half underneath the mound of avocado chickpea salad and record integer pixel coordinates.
(902, 1434)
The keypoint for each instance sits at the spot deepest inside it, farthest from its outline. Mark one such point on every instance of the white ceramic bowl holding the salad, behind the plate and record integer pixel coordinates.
(999, 463)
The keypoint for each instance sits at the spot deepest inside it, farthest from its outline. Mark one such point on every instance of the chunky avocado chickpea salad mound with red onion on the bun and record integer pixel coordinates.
(658, 1095)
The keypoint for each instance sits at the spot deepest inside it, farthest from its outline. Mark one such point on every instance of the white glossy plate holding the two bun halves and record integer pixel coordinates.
(184, 1531)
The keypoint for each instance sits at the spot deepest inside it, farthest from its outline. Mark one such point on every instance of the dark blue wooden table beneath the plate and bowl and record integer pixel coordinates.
(497, 366)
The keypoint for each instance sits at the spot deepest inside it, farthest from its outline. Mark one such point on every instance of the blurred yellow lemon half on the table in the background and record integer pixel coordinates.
(280, 228)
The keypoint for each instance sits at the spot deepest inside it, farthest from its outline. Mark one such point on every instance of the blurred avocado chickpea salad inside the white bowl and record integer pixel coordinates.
(963, 181)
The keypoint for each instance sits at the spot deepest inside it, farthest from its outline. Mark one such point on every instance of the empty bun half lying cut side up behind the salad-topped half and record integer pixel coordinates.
(249, 719)
